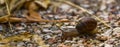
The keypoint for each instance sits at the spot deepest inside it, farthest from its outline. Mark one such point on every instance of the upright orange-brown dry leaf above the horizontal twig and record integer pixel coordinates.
(33, 16)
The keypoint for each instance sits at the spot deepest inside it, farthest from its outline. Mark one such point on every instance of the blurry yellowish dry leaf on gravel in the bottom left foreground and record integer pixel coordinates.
(23, 37)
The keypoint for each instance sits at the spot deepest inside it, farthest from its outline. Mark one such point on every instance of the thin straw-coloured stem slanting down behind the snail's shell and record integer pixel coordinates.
(85, 10)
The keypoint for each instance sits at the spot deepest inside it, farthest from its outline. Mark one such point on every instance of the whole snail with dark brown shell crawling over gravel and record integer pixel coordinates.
(85, 26)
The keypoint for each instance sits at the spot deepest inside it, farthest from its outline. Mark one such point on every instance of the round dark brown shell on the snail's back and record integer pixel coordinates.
(86, 25)
